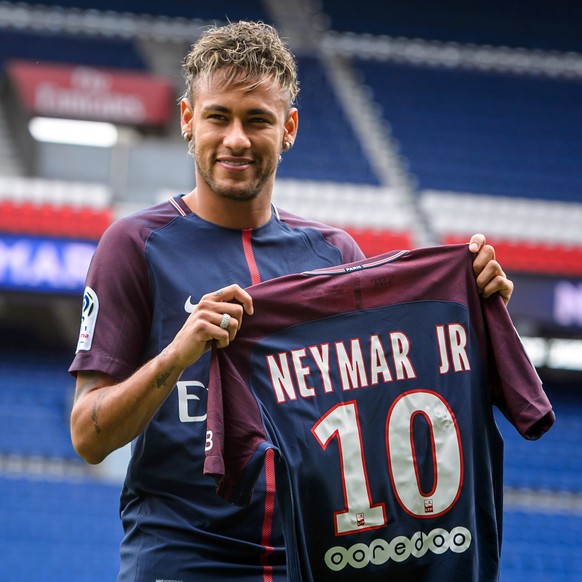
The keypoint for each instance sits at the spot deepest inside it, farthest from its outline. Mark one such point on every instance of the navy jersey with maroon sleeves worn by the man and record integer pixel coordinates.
(147, 273)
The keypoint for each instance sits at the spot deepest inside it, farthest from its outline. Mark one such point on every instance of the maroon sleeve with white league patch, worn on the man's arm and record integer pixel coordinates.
(117, 286)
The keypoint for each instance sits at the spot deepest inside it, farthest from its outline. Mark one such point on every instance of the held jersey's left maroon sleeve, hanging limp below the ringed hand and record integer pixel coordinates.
(236, 441)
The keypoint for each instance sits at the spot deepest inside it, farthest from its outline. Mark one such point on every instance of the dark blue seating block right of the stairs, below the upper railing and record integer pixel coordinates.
(468, 131)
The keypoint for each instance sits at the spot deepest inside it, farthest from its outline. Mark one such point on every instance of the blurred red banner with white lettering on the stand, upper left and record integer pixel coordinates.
(80, 92)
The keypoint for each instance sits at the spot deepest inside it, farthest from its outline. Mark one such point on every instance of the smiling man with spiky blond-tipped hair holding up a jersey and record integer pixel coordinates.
(166, 283)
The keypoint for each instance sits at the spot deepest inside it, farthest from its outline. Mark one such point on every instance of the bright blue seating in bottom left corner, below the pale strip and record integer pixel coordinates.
(59, 529)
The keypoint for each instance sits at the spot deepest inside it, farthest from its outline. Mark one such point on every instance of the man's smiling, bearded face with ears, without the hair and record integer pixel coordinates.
(237, 136)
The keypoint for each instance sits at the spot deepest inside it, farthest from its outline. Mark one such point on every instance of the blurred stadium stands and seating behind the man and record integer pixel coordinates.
(421, 123)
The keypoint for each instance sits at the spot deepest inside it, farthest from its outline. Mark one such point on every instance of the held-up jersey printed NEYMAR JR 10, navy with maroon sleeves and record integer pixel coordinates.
(373, 385)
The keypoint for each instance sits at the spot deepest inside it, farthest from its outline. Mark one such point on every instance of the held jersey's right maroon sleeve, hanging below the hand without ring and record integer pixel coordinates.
(517, 388)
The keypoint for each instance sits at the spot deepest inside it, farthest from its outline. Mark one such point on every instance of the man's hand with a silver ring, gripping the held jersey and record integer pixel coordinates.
(203, 325)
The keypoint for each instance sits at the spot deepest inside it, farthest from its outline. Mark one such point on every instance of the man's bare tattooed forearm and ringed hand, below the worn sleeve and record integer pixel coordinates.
(107, 414)
